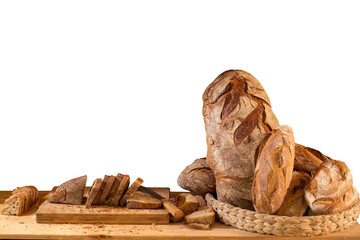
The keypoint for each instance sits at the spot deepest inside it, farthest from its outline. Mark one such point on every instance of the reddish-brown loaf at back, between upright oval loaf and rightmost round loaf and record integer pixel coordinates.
(308, 159)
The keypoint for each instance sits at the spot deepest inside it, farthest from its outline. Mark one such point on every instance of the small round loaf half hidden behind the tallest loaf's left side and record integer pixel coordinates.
(198, 178)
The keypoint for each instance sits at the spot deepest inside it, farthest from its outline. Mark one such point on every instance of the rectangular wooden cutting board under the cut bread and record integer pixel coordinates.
(66, 213)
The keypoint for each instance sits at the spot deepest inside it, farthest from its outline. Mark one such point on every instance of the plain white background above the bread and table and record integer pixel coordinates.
(105, 87)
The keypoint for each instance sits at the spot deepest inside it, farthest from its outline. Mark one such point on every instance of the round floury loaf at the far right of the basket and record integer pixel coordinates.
(331, 189)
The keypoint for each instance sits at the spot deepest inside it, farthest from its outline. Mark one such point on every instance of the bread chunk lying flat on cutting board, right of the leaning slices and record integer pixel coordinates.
(143, 201)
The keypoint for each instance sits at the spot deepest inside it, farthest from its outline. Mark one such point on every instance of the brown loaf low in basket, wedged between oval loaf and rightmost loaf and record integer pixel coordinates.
(294, 203)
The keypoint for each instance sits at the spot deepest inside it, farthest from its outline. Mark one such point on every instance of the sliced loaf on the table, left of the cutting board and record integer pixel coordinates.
(20, 201)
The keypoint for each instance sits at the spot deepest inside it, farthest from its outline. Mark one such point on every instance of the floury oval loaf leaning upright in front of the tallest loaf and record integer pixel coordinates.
(273, 170)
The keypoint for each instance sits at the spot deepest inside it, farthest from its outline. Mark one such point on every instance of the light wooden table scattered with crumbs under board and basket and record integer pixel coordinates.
(25, 227)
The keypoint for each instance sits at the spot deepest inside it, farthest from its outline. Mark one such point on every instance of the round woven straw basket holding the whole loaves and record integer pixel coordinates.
(282, 225)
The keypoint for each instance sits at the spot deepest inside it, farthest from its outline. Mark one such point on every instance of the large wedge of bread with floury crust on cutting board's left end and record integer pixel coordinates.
(70, 192)
